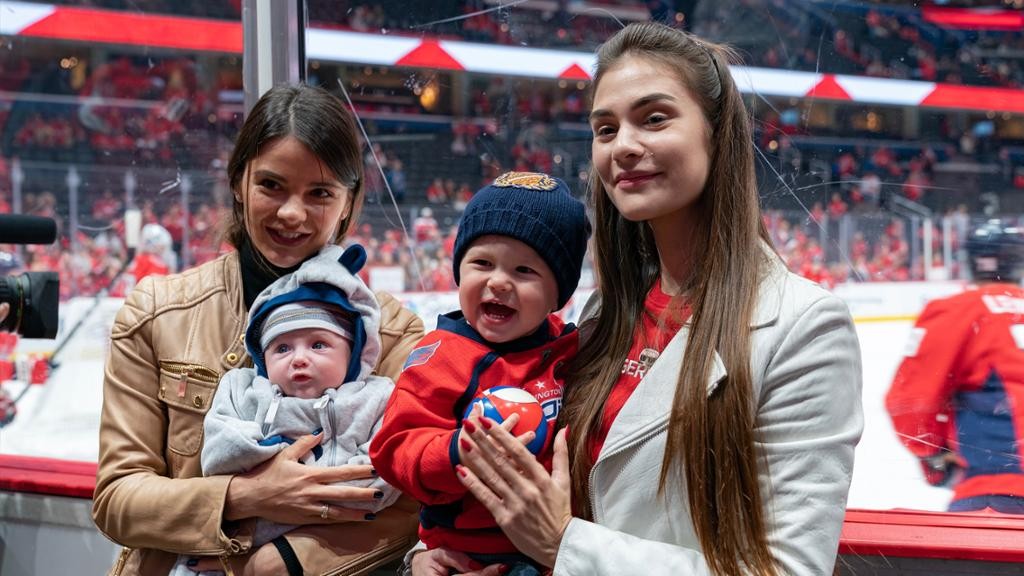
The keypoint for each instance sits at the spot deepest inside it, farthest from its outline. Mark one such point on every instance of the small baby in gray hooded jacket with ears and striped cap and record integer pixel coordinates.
(315, 342)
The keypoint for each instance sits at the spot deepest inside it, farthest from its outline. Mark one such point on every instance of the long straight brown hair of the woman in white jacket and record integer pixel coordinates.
(711, 441)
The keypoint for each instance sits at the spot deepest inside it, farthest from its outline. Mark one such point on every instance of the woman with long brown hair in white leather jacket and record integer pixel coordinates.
(714, 408)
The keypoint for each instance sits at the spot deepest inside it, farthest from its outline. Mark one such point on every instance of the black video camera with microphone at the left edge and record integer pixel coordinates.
(33, 297)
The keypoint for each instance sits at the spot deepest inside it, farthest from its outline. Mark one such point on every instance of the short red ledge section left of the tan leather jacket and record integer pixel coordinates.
(48, 476)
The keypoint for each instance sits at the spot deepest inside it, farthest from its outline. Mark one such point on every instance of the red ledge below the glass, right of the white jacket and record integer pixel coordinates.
(980, 537)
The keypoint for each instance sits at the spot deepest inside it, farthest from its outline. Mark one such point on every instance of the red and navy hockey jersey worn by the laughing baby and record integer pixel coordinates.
(416, 449)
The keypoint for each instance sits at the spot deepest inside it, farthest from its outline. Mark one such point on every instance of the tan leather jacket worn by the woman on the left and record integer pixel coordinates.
(170, 344)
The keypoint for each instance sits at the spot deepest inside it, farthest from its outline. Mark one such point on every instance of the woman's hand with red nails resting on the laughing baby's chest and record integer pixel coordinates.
(532, 507)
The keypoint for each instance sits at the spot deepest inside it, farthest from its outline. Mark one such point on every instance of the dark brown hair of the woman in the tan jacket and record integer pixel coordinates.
(316, 118)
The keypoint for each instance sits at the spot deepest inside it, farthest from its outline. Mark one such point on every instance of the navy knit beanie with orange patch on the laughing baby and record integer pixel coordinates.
(538, 211)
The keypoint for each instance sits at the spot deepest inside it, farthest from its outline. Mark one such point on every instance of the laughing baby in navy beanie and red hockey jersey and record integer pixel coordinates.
(519, 254)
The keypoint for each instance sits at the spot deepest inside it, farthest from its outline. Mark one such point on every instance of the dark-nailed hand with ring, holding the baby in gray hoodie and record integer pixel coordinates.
(282, 490)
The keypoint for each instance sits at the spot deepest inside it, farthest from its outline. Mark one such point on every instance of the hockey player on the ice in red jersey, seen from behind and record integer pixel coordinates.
(958, 399)
